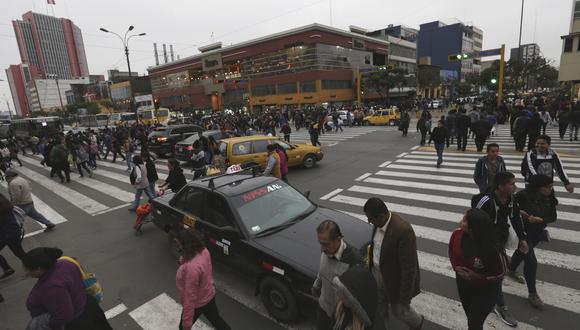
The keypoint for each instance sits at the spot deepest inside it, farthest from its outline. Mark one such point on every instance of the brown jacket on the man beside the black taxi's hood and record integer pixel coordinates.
(399, 263)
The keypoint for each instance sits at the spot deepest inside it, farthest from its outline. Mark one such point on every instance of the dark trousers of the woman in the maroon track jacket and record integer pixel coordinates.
(477, 301)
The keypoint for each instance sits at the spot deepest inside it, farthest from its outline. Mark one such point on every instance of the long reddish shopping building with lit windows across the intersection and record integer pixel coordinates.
(310, 65)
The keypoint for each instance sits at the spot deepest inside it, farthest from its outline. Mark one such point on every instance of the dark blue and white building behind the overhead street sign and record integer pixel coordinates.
(438, 40)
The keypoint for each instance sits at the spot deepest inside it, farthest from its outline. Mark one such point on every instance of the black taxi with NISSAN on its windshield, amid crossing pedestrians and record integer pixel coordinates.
(264, 229)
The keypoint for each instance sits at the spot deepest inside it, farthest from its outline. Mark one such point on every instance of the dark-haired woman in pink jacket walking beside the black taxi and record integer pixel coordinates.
(195, 283)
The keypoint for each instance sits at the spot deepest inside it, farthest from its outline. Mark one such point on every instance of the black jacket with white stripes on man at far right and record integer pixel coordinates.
(534, 163)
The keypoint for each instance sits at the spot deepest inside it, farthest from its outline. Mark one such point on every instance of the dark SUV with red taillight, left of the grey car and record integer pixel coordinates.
(162, 140)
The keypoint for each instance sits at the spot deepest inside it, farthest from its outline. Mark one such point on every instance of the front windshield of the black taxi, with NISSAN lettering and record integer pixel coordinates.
(270, 206)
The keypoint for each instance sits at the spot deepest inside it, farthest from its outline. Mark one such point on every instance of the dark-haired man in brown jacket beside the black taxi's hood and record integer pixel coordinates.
(394, 263)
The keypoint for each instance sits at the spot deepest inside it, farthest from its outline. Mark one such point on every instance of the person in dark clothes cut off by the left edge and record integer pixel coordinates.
(10, 234)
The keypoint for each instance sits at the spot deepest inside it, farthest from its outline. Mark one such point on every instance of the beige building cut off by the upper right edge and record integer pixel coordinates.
(570, 59)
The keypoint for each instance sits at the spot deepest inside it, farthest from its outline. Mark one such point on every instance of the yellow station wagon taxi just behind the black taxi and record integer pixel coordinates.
(253, 150)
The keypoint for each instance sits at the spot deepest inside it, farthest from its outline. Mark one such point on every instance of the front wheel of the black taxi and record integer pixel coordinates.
(278, 300)
